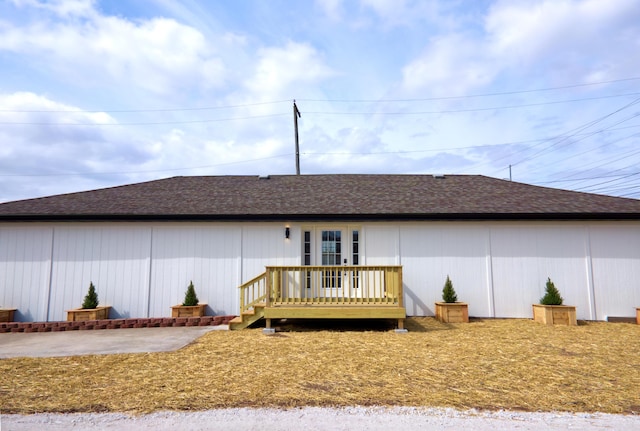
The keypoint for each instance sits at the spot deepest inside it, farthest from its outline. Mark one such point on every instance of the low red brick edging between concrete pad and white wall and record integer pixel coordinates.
(153, 322)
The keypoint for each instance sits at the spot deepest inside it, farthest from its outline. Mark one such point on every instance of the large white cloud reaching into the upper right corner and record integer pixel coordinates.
(525, 39)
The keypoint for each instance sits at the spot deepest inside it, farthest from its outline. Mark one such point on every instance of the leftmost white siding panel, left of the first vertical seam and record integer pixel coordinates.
(25, 265)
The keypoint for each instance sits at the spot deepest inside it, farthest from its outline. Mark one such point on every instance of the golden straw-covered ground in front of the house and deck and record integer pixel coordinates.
(513, 364)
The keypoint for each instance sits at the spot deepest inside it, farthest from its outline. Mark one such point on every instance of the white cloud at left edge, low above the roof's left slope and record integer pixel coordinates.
(44, 137)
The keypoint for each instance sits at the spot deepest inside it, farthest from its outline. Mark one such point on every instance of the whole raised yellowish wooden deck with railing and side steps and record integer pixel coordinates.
(322, 292)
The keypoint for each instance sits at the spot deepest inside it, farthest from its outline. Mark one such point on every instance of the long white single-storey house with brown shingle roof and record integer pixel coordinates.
(364, 240)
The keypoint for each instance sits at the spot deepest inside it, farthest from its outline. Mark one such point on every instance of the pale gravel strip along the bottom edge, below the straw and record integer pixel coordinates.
(312, 418)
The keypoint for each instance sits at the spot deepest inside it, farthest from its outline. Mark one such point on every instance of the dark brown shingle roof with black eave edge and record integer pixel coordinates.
(290, 197)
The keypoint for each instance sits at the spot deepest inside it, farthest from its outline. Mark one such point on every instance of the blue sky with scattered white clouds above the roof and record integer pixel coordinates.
(101, 93)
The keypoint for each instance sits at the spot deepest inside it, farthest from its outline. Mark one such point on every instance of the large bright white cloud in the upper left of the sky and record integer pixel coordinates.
(158, 55)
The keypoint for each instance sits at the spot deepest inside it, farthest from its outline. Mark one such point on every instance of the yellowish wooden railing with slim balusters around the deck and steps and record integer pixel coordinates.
(324, 285)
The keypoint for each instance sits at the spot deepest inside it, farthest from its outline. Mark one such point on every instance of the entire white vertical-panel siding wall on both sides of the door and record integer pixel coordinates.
(141, 269)
